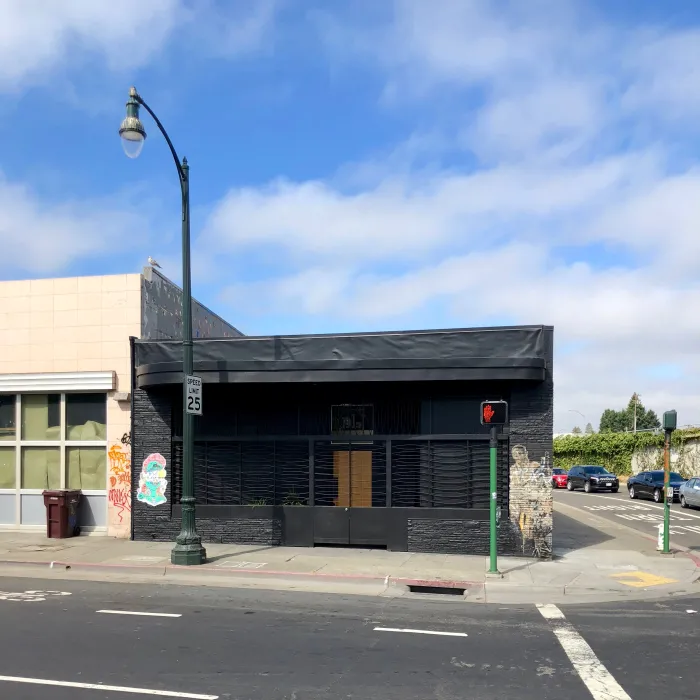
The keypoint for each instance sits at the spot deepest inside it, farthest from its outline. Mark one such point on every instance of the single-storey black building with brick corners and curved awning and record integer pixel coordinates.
(361, 439)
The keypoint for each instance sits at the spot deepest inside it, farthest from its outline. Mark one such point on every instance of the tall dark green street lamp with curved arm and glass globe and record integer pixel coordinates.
(188, 549)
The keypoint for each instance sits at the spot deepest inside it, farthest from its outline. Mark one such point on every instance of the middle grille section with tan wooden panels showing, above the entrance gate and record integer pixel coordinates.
(350, 474)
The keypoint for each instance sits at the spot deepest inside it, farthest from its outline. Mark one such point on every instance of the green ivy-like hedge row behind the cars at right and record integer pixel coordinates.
(612, 450)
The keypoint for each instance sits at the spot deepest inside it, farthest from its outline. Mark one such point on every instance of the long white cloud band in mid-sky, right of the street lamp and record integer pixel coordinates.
(407, 217)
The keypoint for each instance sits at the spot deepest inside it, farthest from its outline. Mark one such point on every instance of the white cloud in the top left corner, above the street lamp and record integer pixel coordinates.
(37, 37)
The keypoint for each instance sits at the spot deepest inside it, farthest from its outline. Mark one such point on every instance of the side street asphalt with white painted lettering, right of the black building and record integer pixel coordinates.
(641, 514)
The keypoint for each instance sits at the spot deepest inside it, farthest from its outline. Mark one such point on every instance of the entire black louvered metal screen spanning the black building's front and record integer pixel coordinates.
(424, 473)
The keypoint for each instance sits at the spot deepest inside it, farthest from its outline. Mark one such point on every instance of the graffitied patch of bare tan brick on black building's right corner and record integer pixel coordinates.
(531, 501)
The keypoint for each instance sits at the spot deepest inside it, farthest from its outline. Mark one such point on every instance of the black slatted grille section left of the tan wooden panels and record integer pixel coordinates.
(246, 473)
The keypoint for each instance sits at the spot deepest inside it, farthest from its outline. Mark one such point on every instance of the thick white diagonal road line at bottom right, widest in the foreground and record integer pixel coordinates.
(597, 678)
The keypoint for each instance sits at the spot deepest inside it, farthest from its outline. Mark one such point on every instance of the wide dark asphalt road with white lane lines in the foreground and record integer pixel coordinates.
(230, 643)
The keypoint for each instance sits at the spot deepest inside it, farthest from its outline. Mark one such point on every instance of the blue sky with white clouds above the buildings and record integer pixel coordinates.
(379, 165)
